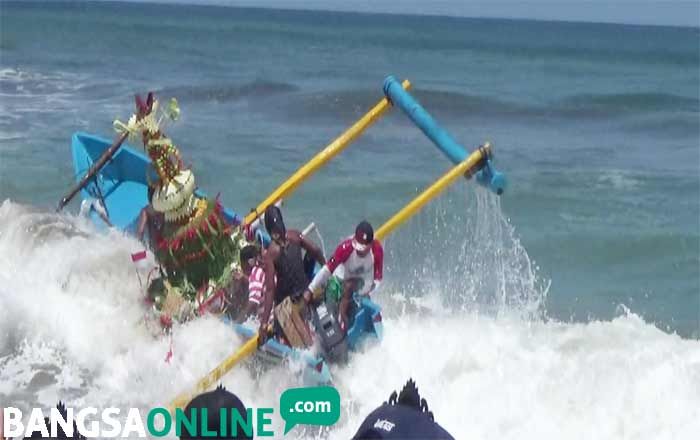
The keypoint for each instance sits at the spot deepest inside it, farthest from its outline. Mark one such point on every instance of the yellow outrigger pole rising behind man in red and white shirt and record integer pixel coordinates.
(464, 168)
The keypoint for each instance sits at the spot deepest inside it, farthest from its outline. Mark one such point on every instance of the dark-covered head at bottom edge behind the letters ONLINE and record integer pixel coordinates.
(213, 401)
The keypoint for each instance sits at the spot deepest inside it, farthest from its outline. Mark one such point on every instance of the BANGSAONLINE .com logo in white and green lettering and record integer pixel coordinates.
(309, 406)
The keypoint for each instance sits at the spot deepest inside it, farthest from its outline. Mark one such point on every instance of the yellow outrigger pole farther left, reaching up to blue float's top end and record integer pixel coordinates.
(328, 153)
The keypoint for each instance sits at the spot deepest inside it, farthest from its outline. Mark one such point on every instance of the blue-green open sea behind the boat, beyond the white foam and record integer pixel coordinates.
(596, 125)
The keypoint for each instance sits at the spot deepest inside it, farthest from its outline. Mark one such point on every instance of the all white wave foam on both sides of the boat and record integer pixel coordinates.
(71, 329)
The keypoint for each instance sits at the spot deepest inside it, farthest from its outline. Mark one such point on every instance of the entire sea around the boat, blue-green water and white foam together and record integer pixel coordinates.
(567, 308)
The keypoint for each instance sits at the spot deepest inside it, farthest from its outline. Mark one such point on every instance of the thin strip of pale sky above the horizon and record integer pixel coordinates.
(657, 12)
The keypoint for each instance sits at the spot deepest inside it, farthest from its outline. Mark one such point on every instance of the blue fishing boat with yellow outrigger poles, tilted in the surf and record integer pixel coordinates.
(115, 181)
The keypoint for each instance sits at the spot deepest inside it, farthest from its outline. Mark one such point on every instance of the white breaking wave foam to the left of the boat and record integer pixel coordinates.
(73, 324)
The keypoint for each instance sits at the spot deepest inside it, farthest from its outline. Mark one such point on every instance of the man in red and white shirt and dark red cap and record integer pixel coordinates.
(358, 261)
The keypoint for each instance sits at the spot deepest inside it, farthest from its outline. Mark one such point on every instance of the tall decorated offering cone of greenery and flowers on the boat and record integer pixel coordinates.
(198, 249)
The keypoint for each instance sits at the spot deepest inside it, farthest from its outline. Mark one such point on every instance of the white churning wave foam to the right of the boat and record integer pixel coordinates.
(508, 378)
